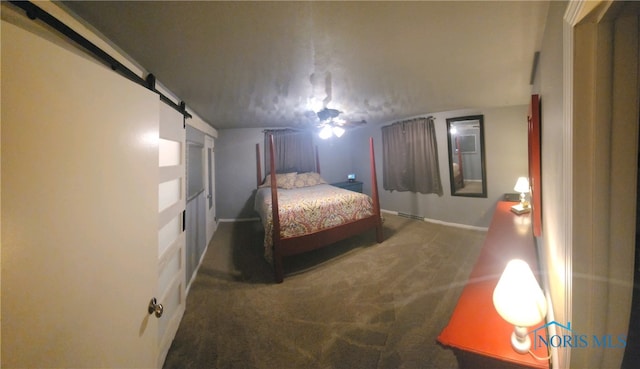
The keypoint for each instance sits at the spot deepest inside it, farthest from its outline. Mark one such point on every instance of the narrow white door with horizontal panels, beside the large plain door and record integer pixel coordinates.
(171, 237)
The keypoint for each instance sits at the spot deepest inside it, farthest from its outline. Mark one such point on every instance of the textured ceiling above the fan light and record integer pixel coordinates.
(268, 64)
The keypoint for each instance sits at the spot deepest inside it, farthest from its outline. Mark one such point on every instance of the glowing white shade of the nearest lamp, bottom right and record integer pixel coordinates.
(518, 297)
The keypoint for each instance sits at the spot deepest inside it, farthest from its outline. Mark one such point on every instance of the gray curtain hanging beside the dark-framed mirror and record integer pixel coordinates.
(410, 157)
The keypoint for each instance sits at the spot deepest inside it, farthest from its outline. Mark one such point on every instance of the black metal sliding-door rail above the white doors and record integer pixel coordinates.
(34, 12)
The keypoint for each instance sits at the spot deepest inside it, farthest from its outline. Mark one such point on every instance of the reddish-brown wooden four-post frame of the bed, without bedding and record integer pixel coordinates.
(296, 245)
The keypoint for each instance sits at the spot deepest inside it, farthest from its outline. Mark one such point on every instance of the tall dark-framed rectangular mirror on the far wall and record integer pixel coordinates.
(466, 156)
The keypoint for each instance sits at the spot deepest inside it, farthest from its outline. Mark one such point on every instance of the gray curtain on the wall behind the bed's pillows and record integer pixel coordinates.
(293, 150)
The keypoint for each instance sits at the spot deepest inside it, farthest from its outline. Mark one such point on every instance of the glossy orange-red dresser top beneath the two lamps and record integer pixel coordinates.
(475, 325)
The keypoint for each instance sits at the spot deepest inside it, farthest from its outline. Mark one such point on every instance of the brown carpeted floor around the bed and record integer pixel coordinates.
(355, 304)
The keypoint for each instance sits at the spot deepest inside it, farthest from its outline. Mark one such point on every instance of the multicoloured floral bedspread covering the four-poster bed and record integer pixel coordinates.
(309, 209)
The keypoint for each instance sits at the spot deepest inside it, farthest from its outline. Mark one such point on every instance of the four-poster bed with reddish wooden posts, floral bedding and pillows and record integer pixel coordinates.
(300, 212)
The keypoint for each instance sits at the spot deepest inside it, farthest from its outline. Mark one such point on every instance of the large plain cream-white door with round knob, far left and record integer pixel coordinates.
(79, 210)
